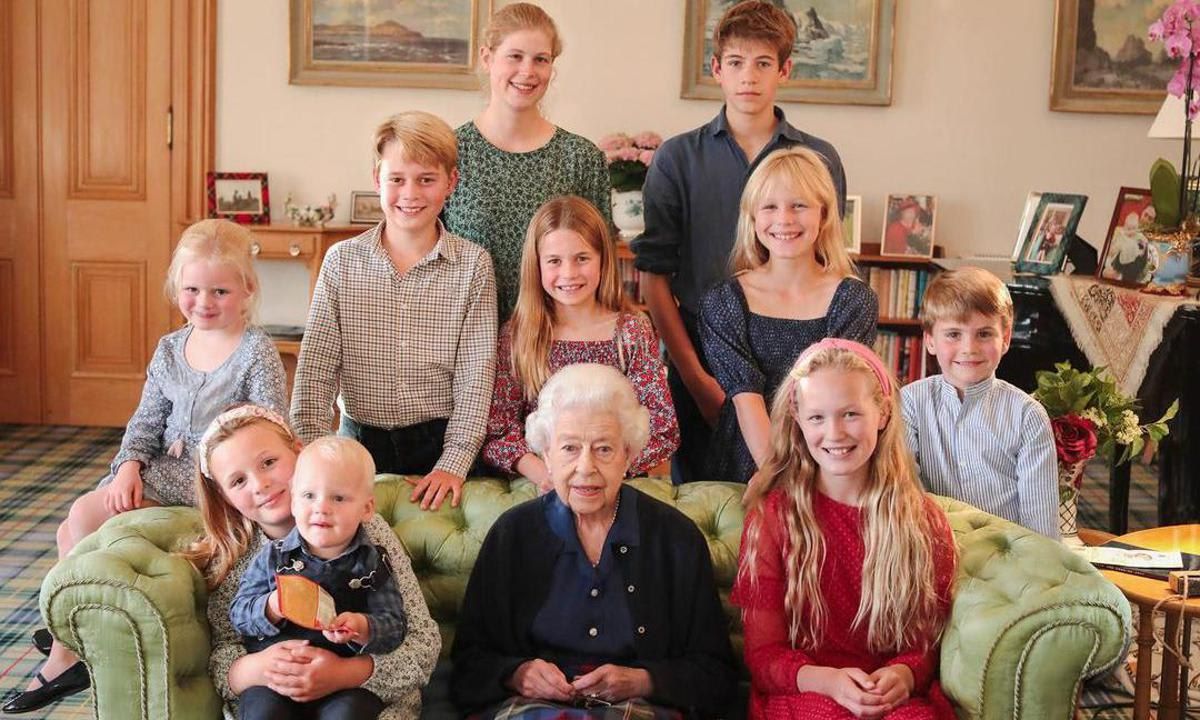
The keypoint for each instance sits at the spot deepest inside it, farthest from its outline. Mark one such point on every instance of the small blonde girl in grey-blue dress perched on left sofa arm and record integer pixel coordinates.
(218, 359)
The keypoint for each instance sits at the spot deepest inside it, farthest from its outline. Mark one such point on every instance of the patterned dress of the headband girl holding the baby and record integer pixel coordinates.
(398, 677)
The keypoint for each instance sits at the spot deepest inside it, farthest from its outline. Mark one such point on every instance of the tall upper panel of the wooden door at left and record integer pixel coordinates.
(89, 177)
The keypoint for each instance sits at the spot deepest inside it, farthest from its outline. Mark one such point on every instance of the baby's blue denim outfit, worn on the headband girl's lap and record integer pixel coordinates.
(359, 580)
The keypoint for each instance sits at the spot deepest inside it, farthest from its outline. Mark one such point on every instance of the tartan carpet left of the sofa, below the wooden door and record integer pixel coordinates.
(43, 471)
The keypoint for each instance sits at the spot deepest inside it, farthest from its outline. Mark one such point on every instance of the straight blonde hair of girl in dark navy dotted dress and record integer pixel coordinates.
(805, 171)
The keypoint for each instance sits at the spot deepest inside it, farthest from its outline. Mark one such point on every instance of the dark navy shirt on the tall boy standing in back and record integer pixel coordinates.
(692, 195)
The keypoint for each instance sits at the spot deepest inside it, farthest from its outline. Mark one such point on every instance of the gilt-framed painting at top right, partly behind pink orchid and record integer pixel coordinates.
(1102, 59)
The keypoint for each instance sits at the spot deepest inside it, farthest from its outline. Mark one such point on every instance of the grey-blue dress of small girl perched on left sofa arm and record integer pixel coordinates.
(178, 404)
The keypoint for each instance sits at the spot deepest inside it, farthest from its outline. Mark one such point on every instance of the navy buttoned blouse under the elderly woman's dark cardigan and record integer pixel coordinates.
(586, 622)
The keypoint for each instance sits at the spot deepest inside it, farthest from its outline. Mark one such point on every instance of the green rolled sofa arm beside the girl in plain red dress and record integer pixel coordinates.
(1030, 621)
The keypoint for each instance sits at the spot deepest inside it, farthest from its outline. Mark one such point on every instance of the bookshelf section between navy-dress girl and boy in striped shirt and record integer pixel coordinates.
(899, 283)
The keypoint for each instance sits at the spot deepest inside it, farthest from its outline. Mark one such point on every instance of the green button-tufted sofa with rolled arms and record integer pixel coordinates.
(1030, 620)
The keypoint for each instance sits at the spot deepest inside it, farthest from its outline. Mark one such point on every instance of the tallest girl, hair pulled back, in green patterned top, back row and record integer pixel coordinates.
(511, 158)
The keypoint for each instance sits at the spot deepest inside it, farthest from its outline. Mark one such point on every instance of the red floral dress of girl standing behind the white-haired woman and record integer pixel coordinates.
(633, 350)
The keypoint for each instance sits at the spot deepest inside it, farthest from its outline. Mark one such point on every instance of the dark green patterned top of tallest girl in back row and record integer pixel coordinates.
(499, 193)
